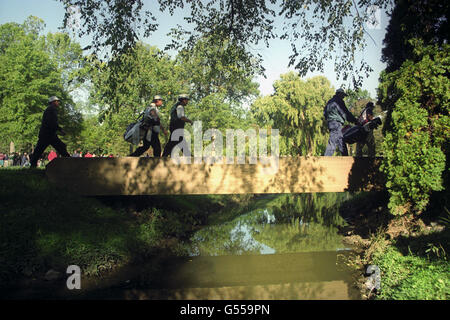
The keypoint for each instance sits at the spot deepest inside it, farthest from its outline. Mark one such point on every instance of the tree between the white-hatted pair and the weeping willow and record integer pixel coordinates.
(219, 85)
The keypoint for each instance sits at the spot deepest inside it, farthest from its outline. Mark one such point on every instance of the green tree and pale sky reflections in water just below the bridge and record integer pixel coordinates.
(287, 224)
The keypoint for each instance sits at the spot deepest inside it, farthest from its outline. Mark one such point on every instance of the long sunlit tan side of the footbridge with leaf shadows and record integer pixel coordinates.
(150, 176)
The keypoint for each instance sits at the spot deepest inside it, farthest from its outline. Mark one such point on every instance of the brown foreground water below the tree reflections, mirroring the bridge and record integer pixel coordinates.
(296, 276)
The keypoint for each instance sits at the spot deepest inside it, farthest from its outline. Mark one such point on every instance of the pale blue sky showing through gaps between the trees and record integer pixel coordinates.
(275, 58)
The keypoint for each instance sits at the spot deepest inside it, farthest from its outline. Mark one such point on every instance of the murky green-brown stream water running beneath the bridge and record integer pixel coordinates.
(286, 248)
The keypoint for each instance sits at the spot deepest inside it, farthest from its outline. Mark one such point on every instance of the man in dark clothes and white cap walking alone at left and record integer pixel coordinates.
(48, 133)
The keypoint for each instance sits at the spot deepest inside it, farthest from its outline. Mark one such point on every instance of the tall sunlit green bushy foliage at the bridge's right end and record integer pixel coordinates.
(417, 98)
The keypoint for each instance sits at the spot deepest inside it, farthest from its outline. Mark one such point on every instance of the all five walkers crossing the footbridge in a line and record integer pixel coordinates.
(335, 112)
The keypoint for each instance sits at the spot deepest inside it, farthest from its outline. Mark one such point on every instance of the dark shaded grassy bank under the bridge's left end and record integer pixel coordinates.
(43, 226)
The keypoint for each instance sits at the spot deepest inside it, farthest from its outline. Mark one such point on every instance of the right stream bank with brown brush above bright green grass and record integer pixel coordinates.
(411, 252)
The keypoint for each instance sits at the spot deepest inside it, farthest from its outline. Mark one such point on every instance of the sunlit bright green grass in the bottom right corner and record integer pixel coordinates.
(415, 268)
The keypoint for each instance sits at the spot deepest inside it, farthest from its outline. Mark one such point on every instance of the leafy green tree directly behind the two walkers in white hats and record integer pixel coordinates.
(151, 72)
